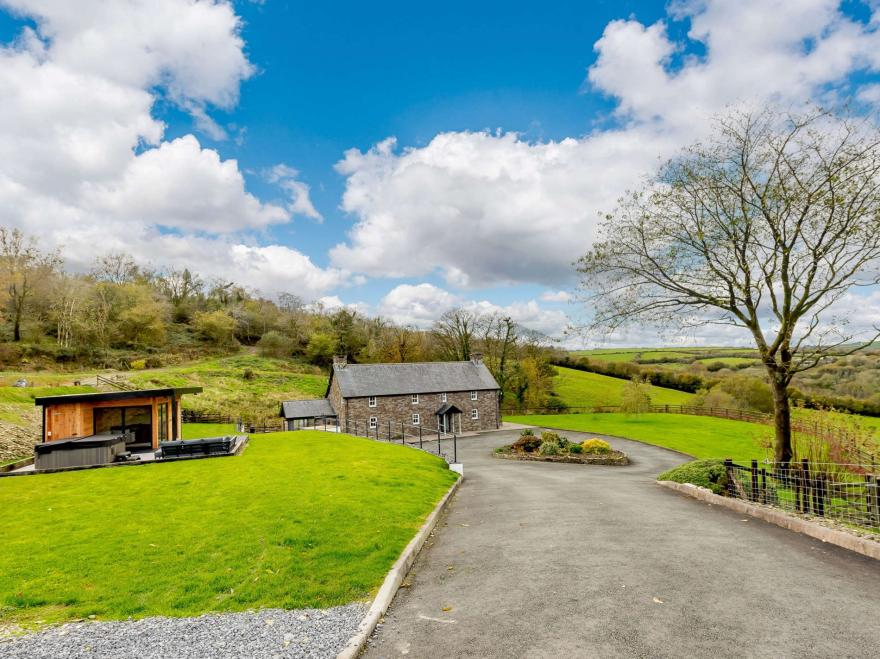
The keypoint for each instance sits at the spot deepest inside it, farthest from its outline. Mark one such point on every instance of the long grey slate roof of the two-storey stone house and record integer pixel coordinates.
(358, 380)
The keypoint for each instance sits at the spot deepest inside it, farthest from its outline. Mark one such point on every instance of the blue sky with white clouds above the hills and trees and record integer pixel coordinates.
(399, 158)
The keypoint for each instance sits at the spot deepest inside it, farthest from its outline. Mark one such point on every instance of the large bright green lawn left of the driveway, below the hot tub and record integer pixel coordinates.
(305, 519)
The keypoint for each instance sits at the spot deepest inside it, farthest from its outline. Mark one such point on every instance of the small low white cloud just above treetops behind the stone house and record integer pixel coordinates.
(422, 304)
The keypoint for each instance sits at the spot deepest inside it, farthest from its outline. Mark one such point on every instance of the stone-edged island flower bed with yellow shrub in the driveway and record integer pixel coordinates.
(551, 447)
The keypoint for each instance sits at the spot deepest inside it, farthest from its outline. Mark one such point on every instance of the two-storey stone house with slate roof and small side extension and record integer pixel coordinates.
(451, 396)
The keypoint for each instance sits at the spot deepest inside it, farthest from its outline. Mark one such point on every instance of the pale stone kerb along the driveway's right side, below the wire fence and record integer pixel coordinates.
(832, 536)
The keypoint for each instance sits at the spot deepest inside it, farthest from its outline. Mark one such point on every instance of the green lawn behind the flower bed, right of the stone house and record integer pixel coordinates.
(699, 436)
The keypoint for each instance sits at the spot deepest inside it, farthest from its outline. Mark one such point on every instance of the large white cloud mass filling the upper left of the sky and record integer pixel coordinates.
(82, 159)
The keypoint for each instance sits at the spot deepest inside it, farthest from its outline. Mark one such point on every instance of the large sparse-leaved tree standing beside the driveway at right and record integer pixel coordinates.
(763, 227)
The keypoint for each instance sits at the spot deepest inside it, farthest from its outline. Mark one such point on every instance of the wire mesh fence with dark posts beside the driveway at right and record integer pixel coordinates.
(850, 496)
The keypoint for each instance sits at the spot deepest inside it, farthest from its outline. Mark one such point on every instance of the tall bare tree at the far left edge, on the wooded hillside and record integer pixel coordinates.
(23, 268)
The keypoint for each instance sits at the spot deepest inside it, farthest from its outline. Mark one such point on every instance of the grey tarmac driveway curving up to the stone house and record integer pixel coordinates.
(556, 560)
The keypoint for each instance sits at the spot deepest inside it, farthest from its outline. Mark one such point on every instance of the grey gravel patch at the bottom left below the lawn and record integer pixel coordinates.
(303, 633)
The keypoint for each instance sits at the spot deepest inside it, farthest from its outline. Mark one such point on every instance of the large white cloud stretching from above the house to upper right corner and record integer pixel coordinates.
(491, 208)
